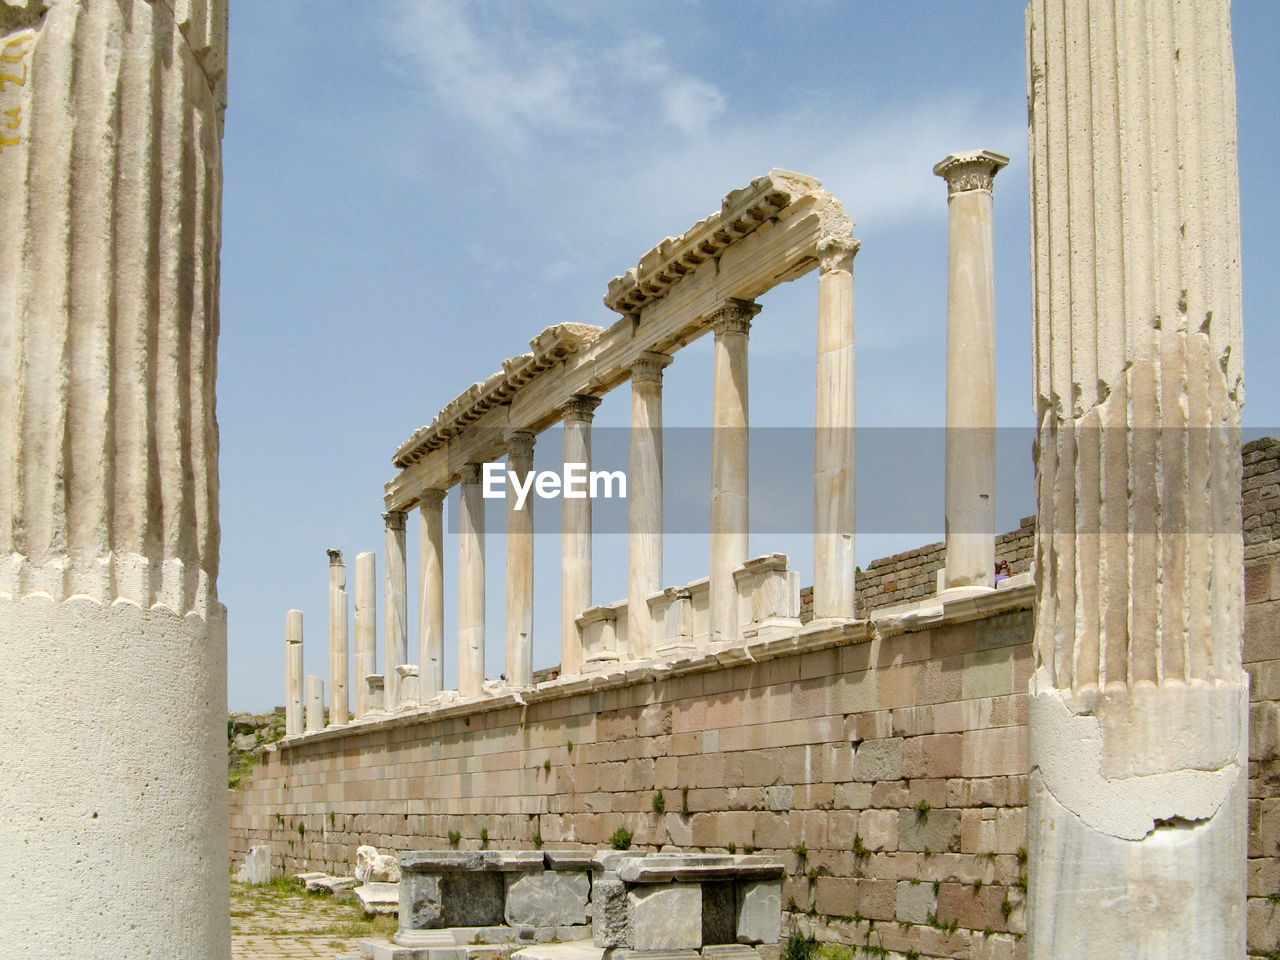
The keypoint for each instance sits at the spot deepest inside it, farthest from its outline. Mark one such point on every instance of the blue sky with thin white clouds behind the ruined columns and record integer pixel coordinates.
(417, 188)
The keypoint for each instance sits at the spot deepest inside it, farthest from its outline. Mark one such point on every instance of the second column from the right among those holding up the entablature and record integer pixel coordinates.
(730, 465)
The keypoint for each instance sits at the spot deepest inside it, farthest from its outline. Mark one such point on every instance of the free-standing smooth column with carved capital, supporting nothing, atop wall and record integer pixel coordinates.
(971, 447)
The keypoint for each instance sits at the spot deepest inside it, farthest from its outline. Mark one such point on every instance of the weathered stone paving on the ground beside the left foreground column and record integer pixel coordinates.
(280, 922)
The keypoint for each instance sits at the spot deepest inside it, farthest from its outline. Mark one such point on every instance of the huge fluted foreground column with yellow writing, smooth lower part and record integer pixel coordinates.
(111, 195)
